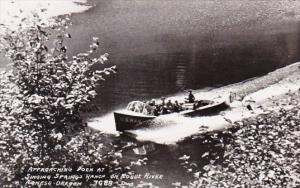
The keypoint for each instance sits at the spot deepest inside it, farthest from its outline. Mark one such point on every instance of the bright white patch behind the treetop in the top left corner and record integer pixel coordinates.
(12, 11)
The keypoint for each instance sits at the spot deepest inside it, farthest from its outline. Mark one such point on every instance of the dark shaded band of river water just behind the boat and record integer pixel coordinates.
(201, 65)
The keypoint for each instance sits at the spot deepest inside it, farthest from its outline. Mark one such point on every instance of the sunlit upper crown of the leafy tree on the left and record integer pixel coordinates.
(51, 88)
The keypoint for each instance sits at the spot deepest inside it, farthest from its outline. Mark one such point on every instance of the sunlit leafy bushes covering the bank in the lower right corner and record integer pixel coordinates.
(264, 151)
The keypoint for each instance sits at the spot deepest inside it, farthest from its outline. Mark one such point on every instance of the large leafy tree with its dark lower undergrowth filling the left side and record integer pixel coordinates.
(41, 96)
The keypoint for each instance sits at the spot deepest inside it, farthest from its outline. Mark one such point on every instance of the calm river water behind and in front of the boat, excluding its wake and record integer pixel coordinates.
(162, 48)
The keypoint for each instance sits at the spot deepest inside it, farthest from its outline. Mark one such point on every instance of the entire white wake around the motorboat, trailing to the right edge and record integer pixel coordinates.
(250, 98)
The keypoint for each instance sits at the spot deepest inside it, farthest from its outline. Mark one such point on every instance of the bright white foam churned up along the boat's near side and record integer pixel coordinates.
(183, 127)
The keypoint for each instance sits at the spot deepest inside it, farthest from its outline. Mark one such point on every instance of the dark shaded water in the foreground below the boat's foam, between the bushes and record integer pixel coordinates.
(177, 163)
